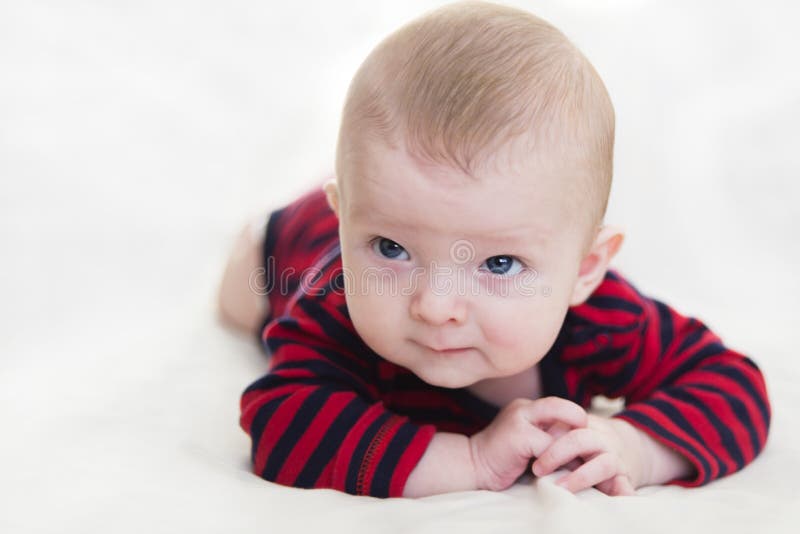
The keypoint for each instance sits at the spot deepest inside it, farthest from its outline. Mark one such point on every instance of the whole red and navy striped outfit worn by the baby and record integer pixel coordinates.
(331, 413)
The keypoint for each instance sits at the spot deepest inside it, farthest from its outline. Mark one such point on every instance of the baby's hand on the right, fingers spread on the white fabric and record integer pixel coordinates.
(610, 463)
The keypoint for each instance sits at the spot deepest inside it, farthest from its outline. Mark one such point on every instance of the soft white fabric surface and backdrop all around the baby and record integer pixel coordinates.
(136, 138)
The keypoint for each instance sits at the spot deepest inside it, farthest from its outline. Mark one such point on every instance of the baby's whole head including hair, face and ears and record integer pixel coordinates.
(473, 170)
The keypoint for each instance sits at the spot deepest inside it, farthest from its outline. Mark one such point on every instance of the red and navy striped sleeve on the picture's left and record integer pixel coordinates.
(315, 419)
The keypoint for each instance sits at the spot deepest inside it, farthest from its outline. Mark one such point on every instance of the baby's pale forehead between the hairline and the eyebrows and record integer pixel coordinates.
(393, 190)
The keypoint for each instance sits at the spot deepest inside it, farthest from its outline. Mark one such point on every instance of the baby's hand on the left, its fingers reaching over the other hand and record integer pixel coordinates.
(501, 452)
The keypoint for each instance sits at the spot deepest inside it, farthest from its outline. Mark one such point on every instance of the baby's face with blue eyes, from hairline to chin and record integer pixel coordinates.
(455, 278)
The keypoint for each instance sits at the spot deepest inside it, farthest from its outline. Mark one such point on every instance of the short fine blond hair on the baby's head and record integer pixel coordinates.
(465, 79)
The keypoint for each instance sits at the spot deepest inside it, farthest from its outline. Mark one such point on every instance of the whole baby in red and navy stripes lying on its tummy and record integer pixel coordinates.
(440, 314)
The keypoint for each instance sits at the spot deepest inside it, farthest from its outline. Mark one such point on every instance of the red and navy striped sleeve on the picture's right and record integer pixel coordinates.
(681, 384)
